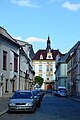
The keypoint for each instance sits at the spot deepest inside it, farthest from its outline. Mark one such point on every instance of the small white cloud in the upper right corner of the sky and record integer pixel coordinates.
(71, 6)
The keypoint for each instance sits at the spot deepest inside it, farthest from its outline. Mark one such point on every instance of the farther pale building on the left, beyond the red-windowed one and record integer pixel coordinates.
(26, 68)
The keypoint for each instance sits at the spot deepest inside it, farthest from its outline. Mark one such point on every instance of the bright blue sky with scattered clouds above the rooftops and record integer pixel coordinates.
(33, 20)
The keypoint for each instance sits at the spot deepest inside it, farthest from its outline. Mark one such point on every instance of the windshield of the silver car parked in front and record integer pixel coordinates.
(22, 95)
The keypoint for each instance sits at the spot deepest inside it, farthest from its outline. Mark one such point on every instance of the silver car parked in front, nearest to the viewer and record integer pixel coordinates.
(22, 101)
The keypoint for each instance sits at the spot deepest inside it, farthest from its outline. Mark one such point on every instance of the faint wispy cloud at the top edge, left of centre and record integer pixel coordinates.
(24, 3)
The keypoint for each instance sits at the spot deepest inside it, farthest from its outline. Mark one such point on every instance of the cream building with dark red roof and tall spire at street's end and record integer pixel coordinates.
(44, 62)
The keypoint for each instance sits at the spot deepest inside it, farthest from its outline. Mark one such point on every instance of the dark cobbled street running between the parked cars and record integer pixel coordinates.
(52, 108)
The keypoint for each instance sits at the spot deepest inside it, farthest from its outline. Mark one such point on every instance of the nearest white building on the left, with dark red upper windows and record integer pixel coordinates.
(9, 63)
